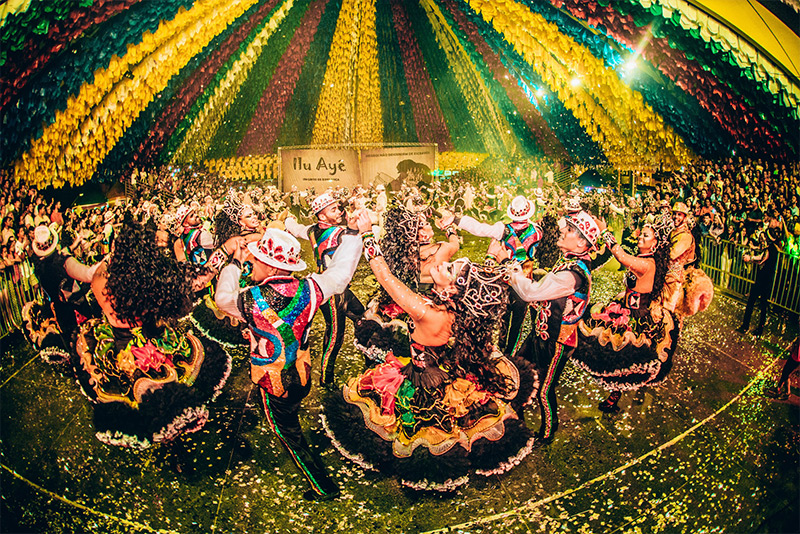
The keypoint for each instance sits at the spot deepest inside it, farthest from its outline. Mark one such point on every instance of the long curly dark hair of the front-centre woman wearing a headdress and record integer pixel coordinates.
(474, 334)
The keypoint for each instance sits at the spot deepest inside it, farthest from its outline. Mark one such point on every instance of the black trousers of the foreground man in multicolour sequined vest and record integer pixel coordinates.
(284, 419)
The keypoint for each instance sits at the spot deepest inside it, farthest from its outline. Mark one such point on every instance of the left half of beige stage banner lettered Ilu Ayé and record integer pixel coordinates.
(318, 168)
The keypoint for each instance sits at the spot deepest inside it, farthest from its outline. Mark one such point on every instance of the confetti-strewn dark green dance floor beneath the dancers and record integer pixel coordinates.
(705, 452)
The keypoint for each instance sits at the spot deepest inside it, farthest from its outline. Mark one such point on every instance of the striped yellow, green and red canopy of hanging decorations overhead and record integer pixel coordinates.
(92, 89)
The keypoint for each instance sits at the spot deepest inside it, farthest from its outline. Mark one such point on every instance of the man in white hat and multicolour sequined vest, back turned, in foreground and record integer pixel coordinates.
(278, 311)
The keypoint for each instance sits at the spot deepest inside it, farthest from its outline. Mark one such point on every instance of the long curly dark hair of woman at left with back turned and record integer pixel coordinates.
(145, 285)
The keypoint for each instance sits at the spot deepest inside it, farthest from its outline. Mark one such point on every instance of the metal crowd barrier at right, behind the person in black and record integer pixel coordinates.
(722, 262)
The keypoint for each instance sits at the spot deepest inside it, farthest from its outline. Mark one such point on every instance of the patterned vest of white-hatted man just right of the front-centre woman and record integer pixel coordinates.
(557, 320)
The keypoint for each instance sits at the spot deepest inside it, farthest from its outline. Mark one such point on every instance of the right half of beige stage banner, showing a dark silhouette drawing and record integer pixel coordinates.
(393, 165)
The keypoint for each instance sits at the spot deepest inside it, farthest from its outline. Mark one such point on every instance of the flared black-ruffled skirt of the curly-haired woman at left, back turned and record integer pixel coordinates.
(147, 390)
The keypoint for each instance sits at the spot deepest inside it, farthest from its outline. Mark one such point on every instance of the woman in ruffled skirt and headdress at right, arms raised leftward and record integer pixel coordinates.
(629, 342)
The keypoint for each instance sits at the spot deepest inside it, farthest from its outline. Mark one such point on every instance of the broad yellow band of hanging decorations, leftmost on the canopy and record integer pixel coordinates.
(71, 148)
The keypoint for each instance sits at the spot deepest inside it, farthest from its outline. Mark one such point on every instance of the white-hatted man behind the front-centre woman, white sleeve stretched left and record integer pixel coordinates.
(520, 237)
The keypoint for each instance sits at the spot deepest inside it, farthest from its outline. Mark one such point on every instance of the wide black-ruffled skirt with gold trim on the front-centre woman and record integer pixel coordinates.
(431, 433)
